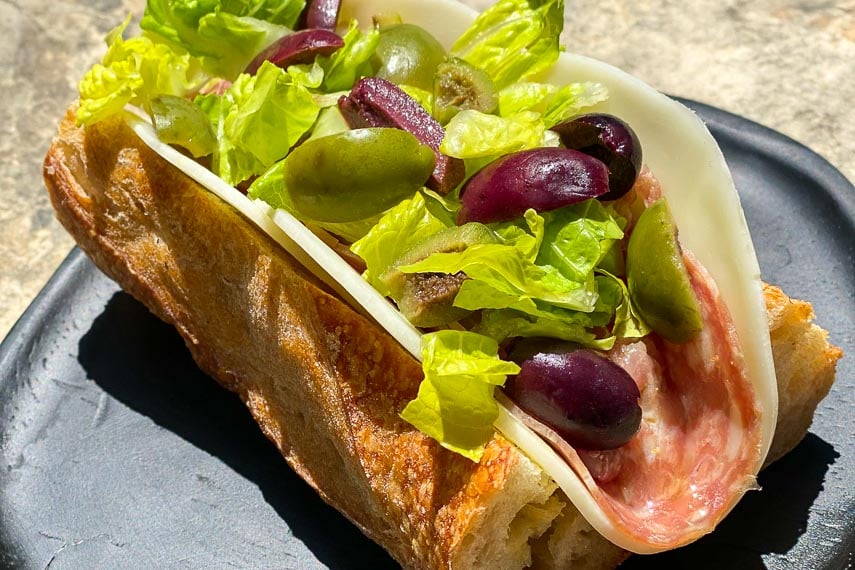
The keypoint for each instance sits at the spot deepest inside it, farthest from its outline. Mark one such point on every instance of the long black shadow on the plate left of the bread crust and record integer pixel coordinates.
(143, 363)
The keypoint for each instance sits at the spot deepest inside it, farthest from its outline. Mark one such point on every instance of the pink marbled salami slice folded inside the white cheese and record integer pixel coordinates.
(699, 442)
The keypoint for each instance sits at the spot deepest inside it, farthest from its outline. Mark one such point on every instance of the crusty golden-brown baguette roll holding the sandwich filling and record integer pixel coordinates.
(325, 384)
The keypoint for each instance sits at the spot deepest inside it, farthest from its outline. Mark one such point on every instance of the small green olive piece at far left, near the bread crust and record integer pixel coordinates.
(180, 122)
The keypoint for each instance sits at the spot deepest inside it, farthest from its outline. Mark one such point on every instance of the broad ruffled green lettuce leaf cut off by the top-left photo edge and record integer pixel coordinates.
(224, 34)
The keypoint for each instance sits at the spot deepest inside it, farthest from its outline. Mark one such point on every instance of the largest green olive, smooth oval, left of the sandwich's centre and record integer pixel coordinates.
(356, 174)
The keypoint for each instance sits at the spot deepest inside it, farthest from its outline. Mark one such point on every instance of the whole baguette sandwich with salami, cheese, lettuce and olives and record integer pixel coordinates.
(496, 303)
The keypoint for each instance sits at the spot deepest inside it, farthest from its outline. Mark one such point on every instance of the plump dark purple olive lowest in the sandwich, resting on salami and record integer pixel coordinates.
(590, 401)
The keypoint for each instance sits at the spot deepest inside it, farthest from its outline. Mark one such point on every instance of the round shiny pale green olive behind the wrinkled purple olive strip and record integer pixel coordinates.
(407, 54)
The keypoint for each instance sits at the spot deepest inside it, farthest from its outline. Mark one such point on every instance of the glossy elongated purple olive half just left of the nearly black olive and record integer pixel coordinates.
(542, 178)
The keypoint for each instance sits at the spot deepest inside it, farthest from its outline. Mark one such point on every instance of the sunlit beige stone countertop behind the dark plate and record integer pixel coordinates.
(788, 64)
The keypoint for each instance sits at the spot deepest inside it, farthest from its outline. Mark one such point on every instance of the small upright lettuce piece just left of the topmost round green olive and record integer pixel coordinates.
(352, 61)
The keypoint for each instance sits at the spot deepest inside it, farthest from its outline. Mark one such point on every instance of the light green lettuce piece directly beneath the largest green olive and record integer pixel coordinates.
(402, 227)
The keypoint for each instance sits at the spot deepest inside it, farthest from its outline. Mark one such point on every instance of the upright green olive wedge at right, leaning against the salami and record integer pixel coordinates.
(658, 282)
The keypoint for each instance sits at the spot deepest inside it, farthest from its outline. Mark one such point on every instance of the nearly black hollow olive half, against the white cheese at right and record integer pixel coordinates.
(612, 141)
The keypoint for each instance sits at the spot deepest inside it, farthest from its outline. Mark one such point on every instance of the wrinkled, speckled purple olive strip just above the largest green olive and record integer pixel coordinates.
(375, 102)
